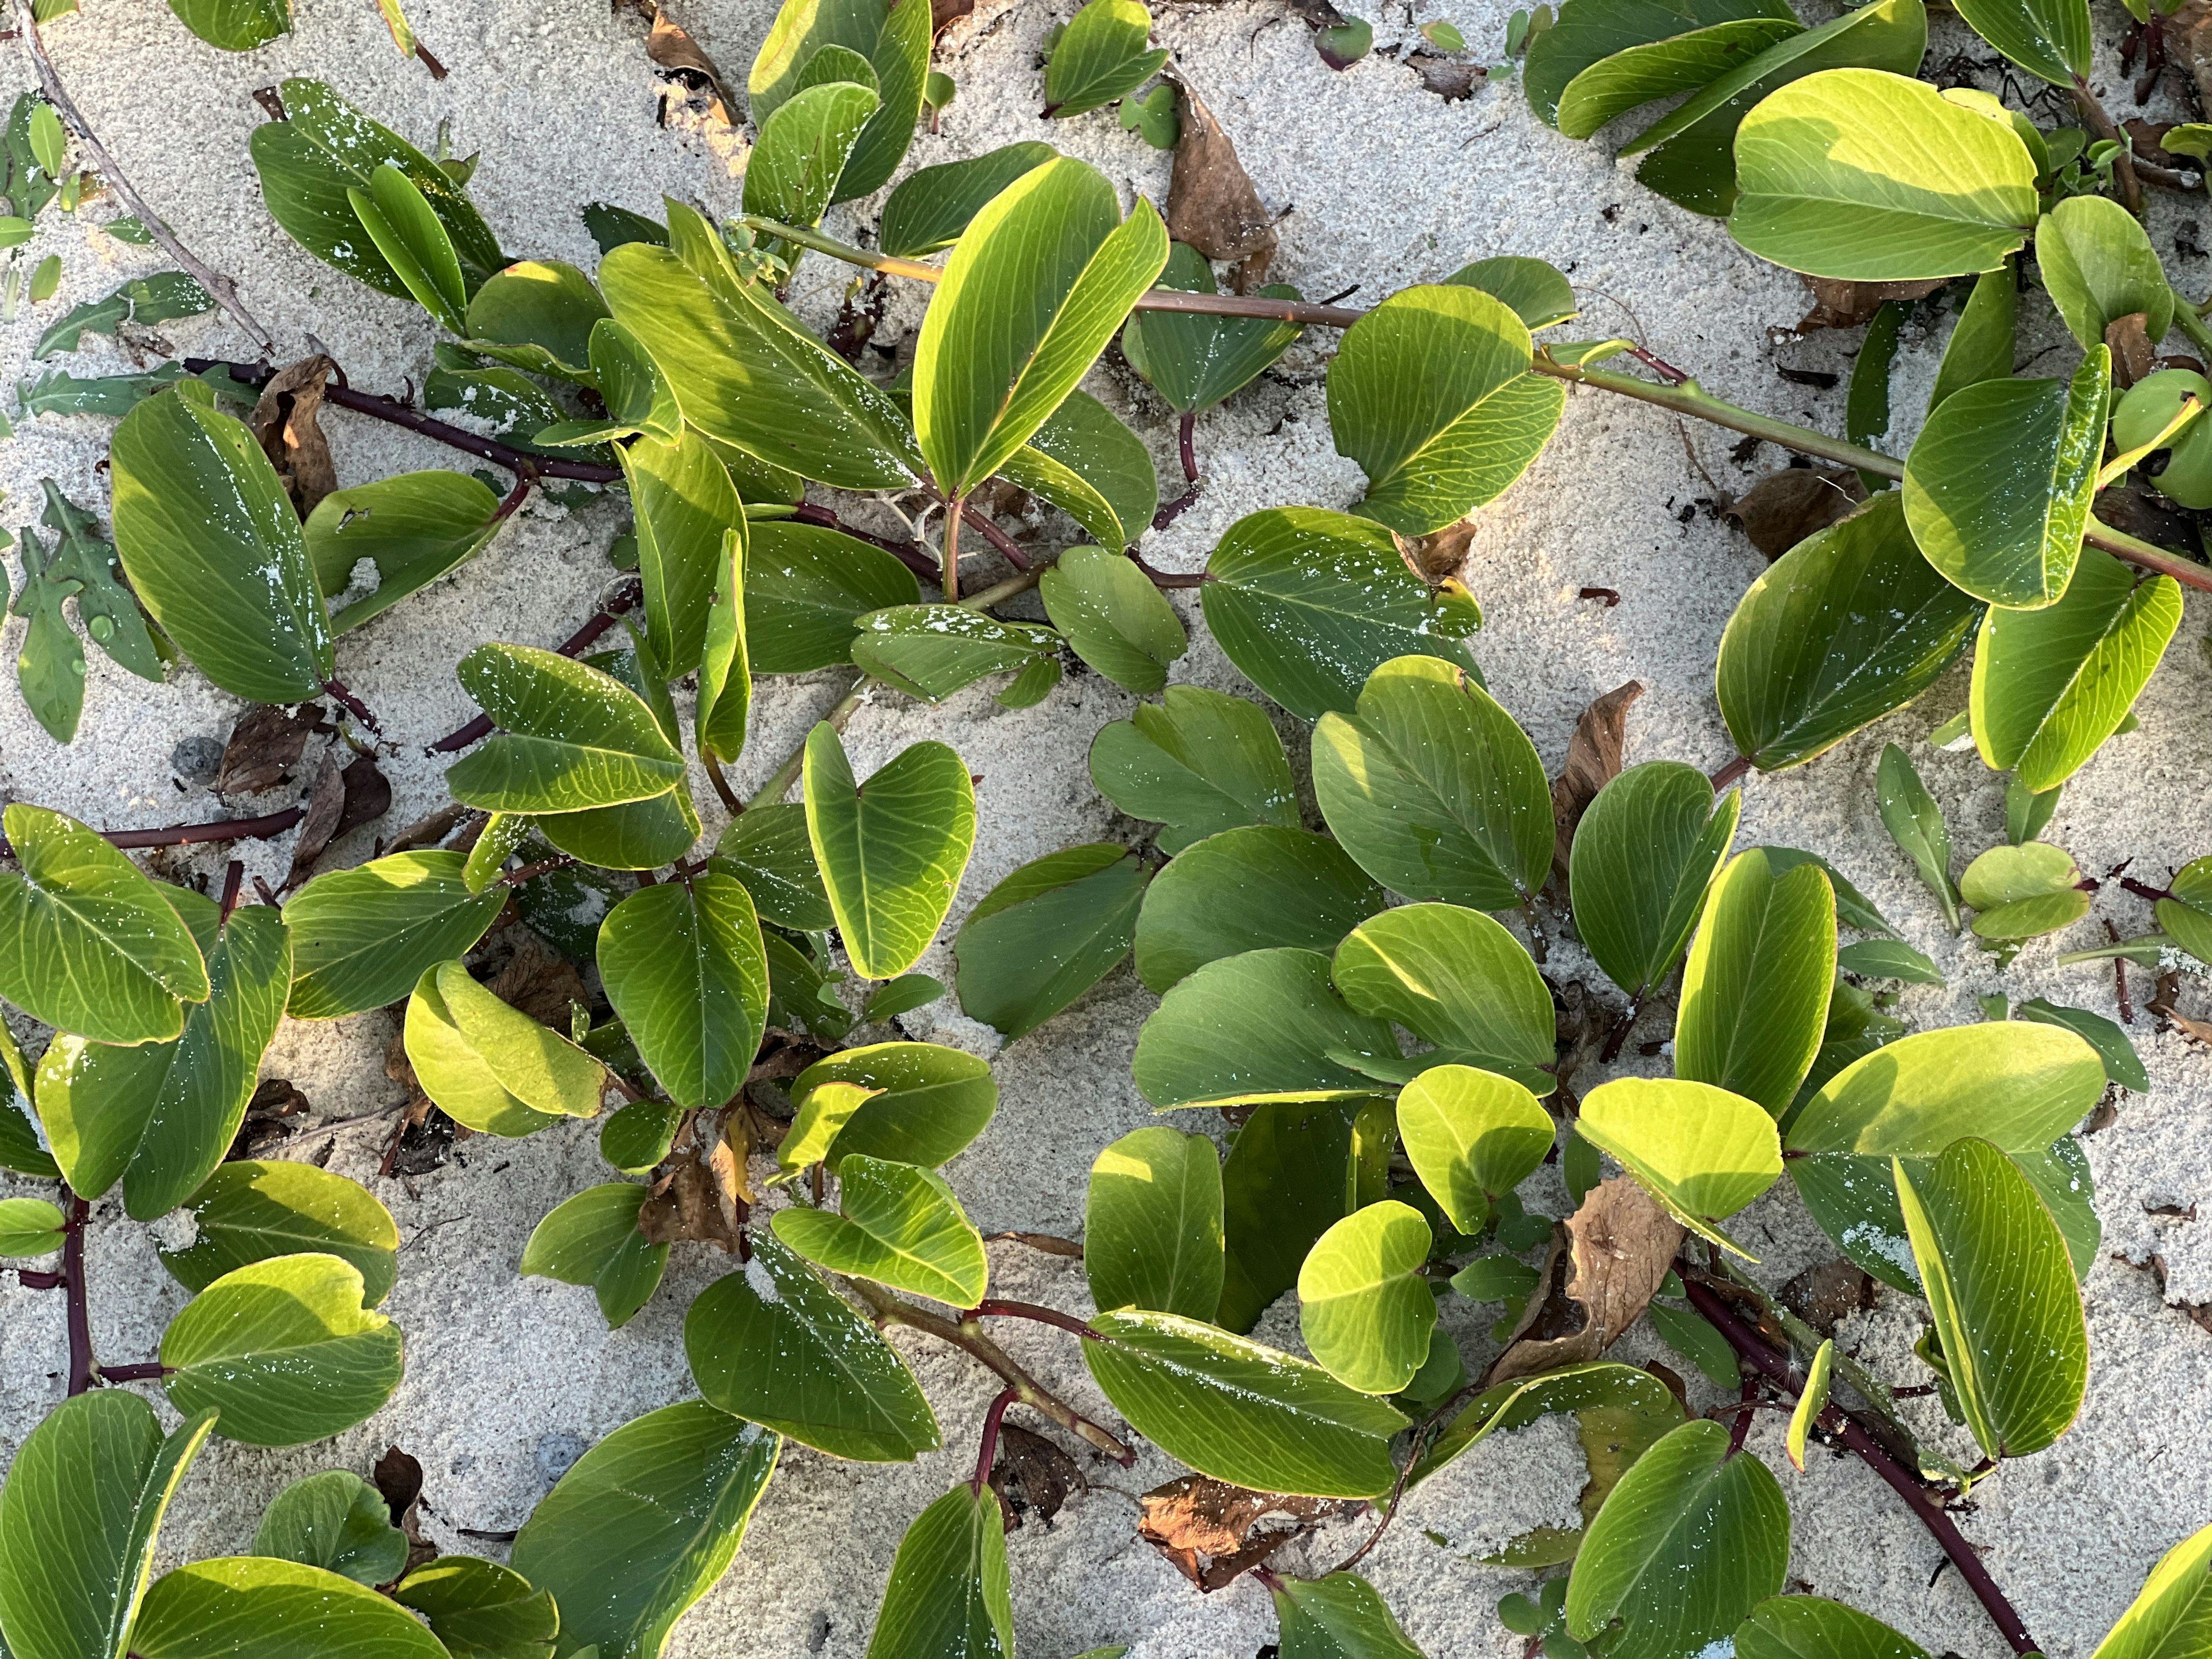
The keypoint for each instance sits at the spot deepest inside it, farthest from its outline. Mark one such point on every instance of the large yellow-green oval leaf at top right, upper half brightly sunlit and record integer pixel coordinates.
(1870, 176)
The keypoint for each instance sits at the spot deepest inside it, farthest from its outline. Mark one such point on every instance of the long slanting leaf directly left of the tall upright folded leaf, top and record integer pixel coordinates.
(747, 375)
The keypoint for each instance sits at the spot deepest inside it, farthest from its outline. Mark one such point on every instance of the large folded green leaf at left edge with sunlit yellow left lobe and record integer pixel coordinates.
(163, 1116)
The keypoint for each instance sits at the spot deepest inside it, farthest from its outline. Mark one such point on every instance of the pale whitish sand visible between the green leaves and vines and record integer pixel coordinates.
(1379, 185)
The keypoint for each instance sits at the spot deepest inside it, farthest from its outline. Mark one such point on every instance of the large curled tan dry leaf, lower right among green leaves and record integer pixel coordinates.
(1620, 1246)
